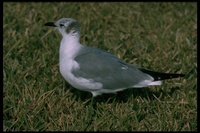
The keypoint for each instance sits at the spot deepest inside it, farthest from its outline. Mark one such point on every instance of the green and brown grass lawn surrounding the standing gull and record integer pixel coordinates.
(158, 36)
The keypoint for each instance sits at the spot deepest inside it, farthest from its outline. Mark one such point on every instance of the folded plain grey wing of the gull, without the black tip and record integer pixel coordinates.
(107, 69)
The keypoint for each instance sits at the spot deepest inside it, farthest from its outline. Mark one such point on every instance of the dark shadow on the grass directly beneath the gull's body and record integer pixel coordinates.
(122, 96)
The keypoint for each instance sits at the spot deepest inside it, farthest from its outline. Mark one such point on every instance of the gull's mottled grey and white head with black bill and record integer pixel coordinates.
(66, 26)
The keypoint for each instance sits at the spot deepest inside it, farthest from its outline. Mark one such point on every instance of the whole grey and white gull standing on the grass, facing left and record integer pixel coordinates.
(97, 71)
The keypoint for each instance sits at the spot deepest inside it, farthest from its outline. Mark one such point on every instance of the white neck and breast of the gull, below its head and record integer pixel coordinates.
(67, 64)
